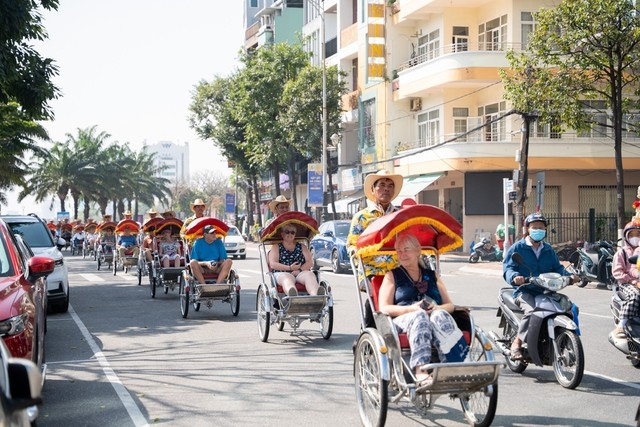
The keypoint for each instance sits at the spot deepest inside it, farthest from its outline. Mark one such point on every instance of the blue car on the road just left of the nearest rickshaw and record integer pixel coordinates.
(328, 247)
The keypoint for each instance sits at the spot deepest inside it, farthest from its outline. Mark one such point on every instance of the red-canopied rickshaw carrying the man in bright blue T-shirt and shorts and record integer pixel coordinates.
(193, 293)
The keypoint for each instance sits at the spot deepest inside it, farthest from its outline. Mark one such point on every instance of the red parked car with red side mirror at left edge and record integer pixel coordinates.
(22, 297)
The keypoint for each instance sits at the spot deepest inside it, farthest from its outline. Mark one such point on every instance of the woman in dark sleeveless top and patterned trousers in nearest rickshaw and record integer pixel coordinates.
(419, 304)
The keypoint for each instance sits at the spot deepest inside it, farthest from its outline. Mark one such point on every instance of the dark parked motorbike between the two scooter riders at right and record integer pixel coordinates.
(594, 265)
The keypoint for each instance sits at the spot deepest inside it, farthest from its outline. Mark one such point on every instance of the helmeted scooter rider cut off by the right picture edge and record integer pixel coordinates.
(626, 274)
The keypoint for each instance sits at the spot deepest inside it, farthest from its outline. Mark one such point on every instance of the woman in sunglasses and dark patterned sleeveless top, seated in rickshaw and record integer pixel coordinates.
(291, 262)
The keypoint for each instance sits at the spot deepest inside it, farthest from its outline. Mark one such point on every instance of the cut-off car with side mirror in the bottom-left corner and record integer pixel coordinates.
(20, 390)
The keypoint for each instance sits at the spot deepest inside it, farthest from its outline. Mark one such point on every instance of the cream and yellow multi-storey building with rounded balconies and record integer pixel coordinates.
(424, 78)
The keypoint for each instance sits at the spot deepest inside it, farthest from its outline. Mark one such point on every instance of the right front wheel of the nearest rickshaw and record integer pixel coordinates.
(480, 407)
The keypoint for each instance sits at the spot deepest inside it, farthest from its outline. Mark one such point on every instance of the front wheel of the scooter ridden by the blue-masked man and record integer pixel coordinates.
(568, 364)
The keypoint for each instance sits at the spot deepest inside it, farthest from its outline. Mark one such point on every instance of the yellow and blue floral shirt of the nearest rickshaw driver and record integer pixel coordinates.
(378, 264)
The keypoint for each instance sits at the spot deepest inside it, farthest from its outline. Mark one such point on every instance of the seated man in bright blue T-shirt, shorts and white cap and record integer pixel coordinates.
(209, 256)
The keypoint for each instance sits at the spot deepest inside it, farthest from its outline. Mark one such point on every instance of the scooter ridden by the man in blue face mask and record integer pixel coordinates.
(553, 337)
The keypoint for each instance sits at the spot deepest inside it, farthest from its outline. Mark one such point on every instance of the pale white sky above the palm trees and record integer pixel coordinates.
(129, 67)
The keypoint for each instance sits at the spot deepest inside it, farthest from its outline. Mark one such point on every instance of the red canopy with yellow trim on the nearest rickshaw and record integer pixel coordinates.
(432, 226)
